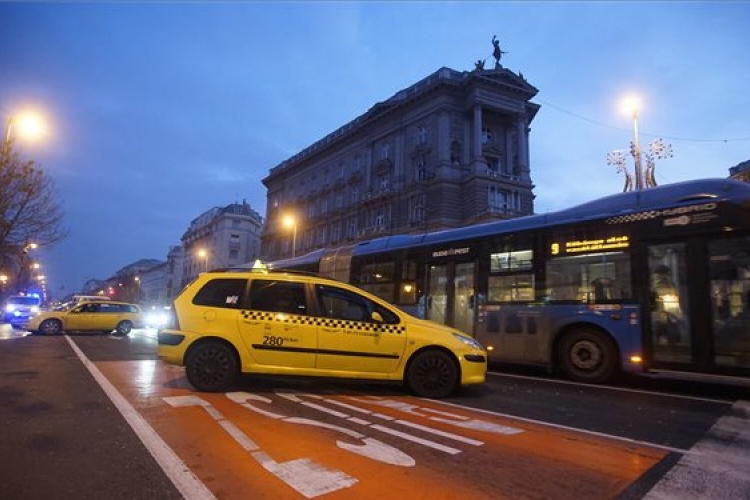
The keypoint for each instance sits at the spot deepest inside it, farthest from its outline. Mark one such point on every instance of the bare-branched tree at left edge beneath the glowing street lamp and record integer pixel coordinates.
(30, 211)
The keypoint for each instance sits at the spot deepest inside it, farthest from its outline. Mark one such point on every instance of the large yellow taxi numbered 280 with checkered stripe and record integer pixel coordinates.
(230, 322)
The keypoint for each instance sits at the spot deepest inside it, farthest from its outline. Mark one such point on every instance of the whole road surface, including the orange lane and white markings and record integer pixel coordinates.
(98, 417)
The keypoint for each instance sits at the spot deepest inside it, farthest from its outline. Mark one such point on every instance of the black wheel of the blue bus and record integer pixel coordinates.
(587, 355)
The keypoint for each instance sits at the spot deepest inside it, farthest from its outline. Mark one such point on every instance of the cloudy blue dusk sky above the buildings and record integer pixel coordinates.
(158, 111)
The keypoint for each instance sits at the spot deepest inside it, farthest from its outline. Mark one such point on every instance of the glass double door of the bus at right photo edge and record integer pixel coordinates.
(700, 305)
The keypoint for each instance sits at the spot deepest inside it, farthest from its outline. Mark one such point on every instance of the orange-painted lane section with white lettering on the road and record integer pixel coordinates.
(285, 444)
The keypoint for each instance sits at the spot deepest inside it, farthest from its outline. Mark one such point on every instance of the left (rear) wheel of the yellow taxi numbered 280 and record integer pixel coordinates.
(211, 366)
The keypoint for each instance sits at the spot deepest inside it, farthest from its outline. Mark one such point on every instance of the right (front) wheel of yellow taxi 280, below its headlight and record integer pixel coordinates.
(432, 374)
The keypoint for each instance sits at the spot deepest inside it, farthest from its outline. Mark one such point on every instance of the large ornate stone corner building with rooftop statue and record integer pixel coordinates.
(448, 151)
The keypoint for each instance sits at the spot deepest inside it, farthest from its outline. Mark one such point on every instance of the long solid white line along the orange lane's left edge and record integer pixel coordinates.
(175, 469)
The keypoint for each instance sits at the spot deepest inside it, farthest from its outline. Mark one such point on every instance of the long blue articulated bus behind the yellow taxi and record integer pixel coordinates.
(641, 281)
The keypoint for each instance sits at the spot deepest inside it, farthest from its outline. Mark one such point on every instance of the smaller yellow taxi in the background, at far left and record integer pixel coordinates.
(88, 316)
